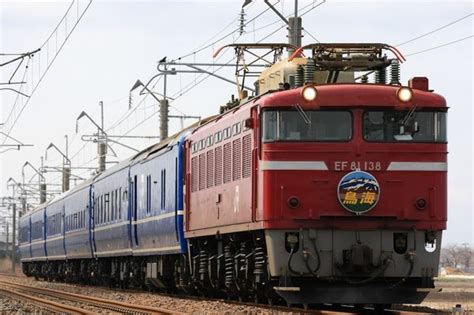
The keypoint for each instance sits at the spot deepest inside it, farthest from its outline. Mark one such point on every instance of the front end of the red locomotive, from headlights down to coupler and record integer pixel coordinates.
(353, 189)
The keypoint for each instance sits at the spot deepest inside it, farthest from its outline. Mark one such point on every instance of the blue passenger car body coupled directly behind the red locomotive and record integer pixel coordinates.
(156, 200)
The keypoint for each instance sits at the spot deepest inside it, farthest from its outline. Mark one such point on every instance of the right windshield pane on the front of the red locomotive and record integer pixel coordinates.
(393, 125)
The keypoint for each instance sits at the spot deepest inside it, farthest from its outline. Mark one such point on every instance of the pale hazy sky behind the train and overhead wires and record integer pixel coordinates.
(118, 42)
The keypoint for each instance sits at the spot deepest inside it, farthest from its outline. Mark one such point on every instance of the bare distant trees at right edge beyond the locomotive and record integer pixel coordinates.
(457, 256)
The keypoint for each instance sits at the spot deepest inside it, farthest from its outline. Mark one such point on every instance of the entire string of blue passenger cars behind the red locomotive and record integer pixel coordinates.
(123, 226)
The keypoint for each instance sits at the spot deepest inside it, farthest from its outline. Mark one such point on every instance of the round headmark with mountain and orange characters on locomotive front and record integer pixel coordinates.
(358, 192)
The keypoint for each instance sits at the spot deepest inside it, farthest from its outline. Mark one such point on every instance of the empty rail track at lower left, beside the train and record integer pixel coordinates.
(15, 290)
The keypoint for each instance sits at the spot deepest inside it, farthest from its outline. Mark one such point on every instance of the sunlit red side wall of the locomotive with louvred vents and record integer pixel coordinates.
(219, 192)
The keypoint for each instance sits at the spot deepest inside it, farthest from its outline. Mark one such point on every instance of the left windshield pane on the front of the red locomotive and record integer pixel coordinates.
(310, 125)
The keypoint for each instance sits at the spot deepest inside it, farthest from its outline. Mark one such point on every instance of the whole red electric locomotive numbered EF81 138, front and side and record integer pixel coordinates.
(323, 188)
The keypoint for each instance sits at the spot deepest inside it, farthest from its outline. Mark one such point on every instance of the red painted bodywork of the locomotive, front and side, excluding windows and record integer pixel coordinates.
(269, 190)
